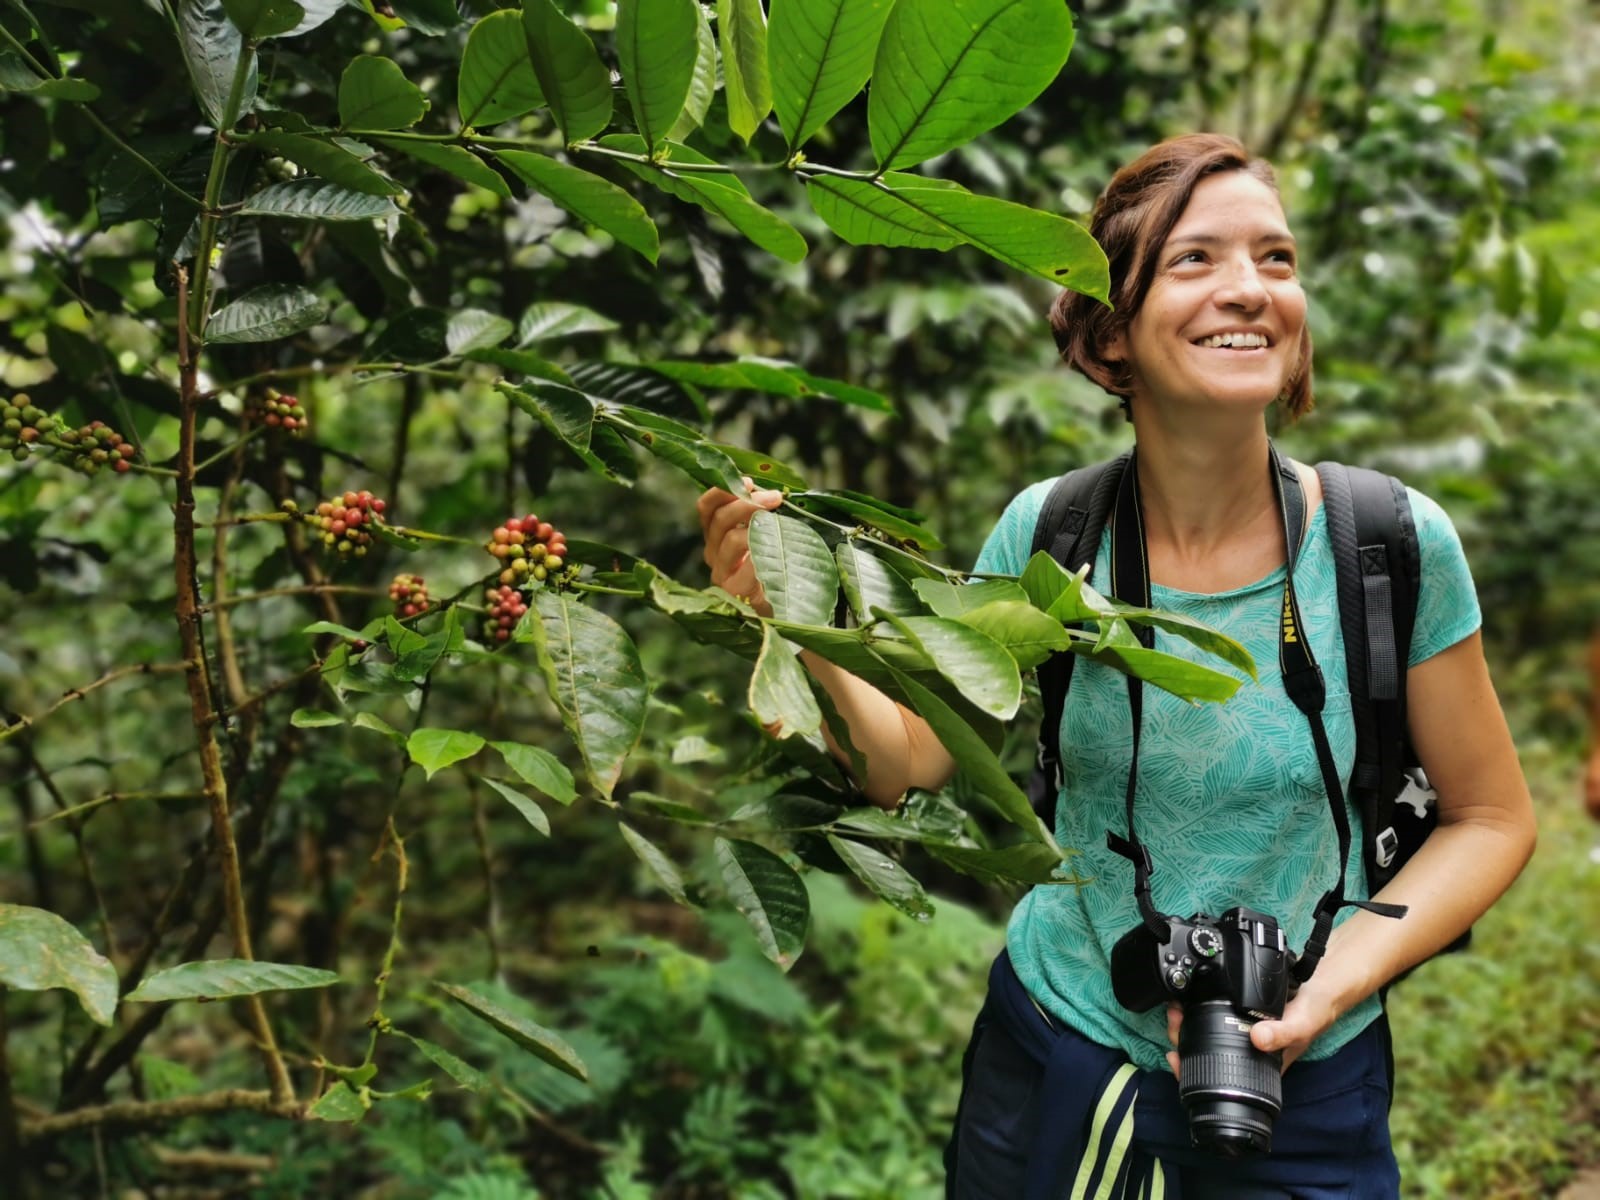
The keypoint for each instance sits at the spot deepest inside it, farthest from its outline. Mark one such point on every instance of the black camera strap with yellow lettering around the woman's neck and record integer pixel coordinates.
(1302, 681)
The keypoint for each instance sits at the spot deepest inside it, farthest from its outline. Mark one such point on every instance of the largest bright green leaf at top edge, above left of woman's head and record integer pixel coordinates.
(948, 71)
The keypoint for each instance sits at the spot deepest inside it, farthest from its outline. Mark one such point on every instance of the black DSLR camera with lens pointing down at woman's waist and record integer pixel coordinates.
(1228, 974)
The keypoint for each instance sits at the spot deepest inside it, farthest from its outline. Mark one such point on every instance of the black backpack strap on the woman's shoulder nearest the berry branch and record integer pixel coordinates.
(1070, 529)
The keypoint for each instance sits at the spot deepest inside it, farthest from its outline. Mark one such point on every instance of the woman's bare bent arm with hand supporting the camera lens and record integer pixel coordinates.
(1484, 839)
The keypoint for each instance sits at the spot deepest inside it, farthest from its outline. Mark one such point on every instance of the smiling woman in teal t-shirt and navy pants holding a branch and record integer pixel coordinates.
(1209, 332)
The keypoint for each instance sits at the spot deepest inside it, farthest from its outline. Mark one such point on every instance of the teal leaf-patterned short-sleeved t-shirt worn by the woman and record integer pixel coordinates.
(1230, 801)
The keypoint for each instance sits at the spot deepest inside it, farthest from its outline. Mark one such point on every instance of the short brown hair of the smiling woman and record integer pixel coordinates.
(1132, 222)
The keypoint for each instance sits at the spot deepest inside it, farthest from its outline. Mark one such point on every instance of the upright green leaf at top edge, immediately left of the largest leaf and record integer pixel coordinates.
(822, 55)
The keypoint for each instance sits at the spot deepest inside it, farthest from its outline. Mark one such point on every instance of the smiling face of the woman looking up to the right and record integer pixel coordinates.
(1223, 319)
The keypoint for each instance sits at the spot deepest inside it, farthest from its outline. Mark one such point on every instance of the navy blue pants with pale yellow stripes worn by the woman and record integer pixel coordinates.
(1036, 1098)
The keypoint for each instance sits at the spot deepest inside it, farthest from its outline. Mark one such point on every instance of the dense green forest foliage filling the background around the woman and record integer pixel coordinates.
(1439, 164)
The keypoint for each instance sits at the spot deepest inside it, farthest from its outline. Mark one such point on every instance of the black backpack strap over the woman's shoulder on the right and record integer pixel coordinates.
(1378, 572)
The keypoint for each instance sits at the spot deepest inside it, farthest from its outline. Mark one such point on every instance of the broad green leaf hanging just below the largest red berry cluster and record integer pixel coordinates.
(596, 681)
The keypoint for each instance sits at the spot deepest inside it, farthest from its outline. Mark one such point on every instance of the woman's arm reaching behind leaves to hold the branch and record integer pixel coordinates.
(897, 745)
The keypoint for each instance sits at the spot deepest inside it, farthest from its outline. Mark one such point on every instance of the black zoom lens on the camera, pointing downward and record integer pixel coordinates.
(1233, 1092)
